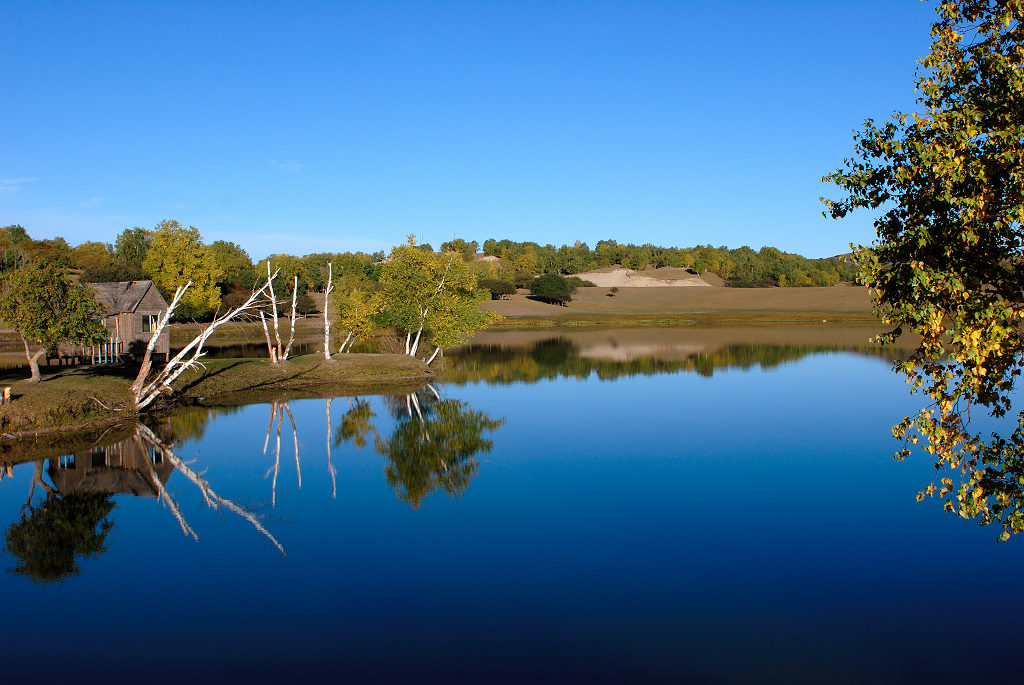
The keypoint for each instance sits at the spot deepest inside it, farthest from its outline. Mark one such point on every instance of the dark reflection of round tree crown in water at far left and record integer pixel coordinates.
(50, 540)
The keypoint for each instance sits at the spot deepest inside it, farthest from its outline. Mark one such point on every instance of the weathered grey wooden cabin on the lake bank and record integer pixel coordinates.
(132, 312)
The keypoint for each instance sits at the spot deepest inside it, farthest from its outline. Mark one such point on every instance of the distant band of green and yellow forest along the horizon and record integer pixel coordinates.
(234, 273)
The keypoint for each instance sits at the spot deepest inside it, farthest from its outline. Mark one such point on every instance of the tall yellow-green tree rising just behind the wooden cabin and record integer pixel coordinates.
(177, 256)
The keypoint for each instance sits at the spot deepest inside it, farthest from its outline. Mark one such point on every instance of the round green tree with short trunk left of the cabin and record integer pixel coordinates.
(47, 309)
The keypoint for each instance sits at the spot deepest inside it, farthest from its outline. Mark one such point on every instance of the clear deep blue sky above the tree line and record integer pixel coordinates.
(328, 126)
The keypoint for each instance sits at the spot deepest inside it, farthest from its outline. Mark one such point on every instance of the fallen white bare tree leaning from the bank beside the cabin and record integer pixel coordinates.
(146, 393)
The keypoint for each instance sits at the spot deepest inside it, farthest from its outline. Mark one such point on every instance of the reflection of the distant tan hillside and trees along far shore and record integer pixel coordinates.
(530, 357)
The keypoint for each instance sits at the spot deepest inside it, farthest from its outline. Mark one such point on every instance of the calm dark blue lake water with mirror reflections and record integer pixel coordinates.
(681, 507)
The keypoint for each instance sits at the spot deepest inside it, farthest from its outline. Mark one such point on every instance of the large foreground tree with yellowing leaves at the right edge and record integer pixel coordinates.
(949, 265)
